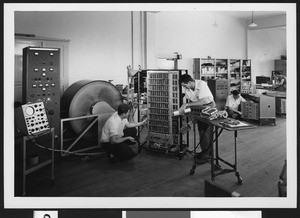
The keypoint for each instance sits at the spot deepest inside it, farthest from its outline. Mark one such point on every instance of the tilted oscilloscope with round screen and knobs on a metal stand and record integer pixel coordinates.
(32, 119)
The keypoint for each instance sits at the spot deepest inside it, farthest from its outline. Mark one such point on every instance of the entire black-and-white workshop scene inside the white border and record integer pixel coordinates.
(151, 103)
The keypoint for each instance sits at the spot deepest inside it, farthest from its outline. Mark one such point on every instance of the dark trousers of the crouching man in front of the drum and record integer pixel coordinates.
(125, 150)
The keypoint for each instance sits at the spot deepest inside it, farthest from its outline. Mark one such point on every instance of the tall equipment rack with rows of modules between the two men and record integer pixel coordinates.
(164, 96)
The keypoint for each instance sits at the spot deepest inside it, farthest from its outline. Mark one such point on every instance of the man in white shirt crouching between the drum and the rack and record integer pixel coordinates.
(118, 136)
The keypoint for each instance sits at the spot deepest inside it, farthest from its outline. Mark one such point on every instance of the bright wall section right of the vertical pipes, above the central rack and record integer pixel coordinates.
(193, 35)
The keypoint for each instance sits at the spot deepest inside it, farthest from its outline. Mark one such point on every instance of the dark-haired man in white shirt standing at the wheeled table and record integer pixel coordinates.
(199, 95)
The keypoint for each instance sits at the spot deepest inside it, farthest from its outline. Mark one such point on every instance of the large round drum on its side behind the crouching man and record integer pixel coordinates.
(87, 97)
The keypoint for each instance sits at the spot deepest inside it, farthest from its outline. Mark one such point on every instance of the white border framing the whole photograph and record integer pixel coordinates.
(143, 202)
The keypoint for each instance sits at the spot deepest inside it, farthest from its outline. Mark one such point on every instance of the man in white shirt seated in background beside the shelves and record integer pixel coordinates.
(233, 105)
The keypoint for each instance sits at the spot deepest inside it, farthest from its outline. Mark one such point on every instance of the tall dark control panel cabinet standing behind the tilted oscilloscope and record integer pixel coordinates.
(41, 81)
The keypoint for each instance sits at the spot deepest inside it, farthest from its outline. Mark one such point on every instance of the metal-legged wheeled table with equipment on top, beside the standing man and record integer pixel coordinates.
(218, 128)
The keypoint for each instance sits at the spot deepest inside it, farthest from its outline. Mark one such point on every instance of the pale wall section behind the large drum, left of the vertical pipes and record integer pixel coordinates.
(100, 42)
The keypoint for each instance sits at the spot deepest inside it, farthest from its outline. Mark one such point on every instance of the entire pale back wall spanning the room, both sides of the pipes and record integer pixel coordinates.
(100, 42)
